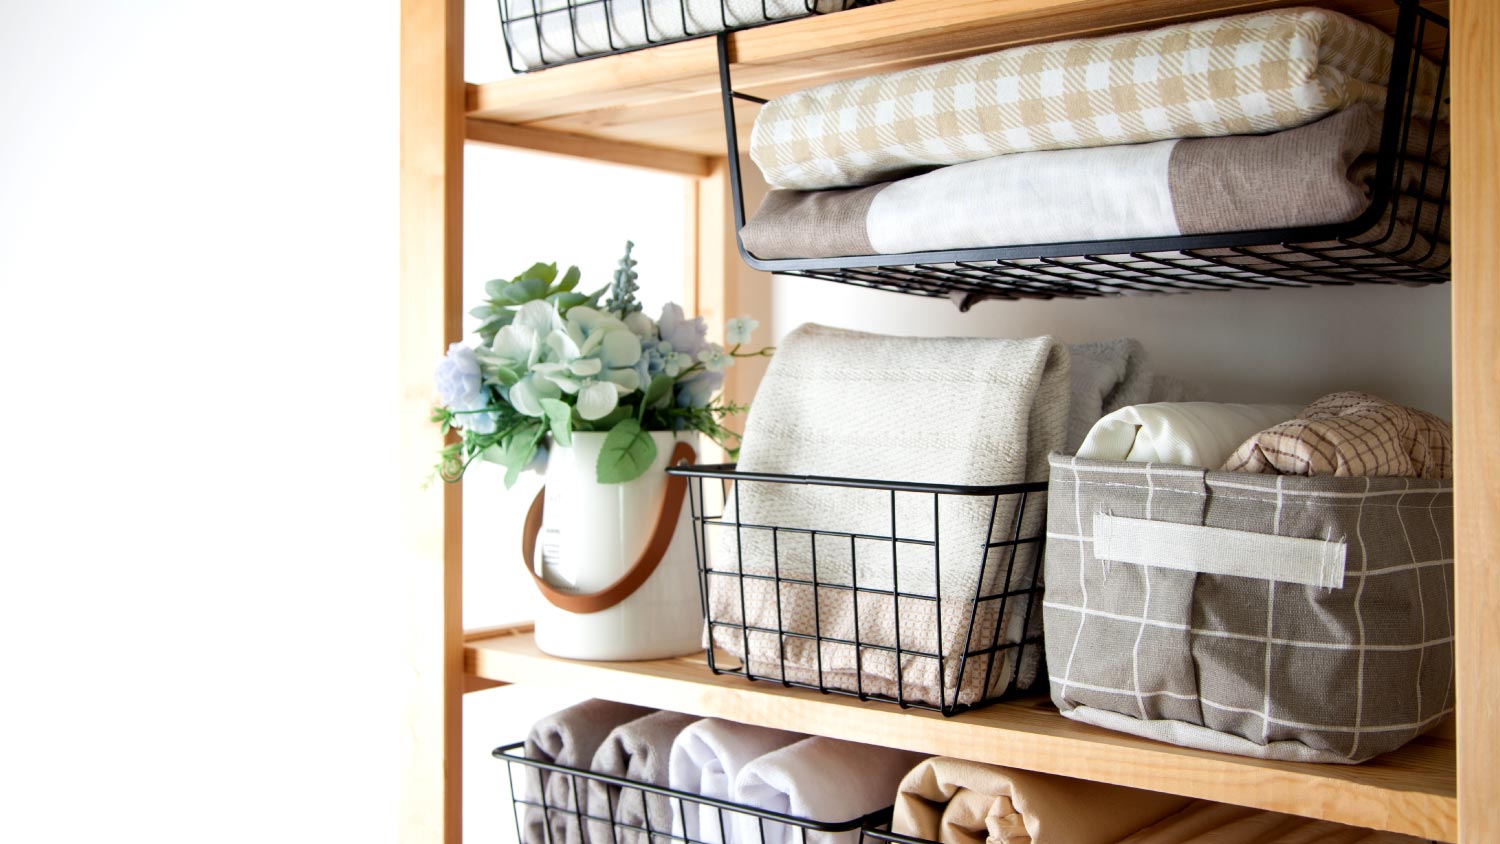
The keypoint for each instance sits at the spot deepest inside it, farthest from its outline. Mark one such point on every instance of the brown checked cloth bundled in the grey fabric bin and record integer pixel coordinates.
(1352, 435)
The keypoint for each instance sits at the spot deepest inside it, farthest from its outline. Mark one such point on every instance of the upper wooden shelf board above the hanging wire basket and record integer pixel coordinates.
(667, 98)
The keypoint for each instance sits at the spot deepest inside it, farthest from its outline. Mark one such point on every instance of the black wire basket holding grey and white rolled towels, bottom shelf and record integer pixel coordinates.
(640, 813)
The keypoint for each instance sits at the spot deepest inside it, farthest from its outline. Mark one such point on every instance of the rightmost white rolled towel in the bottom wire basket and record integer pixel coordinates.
(818, 779)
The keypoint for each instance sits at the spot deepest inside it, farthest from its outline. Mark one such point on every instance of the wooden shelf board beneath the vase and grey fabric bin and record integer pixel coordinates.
(1412, 791)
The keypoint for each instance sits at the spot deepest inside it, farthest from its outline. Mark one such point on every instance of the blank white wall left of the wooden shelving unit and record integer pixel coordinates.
(199, 432)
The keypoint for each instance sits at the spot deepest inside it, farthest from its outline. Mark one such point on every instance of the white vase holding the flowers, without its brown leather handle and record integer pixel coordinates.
(592, 536)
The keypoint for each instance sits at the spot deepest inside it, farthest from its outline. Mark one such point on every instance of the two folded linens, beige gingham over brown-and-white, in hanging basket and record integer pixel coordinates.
(1255, 122)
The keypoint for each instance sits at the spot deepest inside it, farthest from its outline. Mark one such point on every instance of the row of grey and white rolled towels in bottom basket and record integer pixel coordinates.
(812, 779)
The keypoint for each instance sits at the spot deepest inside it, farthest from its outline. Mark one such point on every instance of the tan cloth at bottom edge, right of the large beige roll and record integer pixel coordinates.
(1220, 824)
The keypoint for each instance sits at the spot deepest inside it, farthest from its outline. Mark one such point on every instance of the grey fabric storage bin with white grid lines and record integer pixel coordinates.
(1292, 618)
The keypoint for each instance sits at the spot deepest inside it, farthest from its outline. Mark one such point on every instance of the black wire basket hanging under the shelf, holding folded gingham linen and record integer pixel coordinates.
(1369, 250)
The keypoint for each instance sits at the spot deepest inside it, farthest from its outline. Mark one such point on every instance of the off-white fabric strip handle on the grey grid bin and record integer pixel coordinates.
(1220, 551)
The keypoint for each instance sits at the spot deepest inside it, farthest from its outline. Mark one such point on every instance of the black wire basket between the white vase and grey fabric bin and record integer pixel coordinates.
(928, 599)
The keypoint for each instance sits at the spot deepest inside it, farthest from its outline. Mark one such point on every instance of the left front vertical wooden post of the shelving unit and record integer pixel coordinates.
(431, 319)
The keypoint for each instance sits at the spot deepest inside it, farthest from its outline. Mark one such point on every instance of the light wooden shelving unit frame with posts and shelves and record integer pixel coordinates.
(659, 110)
